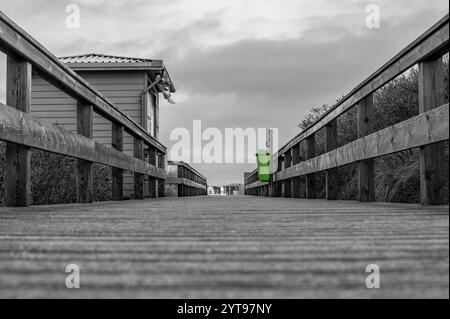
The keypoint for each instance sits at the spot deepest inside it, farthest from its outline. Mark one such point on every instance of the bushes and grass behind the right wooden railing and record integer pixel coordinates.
(396, 175)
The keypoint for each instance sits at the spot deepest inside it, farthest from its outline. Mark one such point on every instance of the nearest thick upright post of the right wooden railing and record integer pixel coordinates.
(431, 95)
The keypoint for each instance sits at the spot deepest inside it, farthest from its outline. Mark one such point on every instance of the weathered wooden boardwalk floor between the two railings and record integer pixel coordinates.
(225, 247)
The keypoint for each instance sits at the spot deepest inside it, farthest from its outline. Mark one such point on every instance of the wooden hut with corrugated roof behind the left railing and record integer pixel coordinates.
(134, 85)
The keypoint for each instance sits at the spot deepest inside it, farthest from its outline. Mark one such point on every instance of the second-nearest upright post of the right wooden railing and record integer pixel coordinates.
(366, 179)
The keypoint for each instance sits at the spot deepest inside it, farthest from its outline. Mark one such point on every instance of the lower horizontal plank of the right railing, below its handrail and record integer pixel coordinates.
(426, 128)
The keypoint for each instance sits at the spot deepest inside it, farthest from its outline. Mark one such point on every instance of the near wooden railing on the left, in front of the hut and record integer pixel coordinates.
(22, 132)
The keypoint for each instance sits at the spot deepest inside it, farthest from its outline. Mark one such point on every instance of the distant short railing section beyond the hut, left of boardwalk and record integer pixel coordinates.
(183, 180)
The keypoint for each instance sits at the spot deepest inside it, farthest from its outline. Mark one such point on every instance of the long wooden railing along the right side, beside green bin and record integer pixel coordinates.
(423, 131)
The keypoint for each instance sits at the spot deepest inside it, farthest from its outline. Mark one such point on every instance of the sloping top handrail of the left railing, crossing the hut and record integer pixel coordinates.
(15, 40)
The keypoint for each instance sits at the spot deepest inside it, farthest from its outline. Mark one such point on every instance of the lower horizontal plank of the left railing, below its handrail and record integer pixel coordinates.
(21, 128)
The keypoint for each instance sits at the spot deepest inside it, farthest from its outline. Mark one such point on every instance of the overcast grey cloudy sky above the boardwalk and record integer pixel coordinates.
(236, 63)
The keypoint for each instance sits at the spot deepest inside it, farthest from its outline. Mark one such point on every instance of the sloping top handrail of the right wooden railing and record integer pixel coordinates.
(434, 41)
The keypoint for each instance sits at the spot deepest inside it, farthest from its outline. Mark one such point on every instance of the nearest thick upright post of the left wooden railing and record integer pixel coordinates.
(18, 95)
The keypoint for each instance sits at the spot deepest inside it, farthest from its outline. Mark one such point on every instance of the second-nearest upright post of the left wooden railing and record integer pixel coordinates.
(85, 173)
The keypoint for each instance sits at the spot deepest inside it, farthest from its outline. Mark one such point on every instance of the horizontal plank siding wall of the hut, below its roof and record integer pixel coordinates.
(123, 88)
